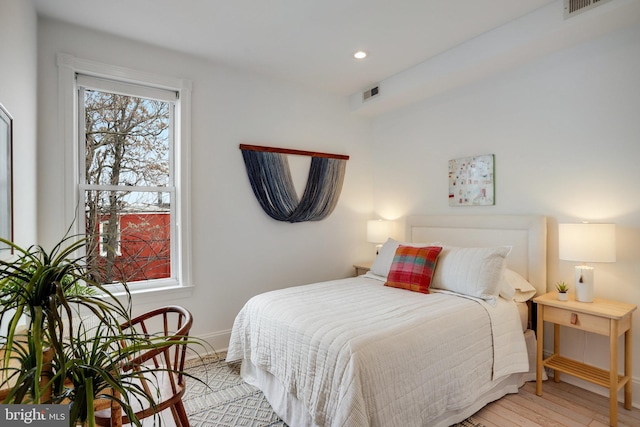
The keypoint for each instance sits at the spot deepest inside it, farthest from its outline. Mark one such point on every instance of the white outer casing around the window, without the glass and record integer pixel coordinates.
(70, 66)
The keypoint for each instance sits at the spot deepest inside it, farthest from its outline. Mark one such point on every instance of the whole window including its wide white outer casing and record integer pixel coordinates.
(129, 168)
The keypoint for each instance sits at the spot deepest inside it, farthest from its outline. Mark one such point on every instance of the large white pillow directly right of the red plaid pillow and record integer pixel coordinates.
(476, 272)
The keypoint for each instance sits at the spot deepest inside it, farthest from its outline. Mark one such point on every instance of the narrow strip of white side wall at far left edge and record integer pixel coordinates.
(18, 55)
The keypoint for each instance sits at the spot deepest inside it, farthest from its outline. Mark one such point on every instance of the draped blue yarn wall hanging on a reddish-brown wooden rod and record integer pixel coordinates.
(270, 177)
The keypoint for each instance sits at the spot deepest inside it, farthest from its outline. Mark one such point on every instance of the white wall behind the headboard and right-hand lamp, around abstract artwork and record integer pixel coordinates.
(564, 130)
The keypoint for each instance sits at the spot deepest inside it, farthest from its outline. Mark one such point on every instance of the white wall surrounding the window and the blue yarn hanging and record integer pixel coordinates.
(238, 251)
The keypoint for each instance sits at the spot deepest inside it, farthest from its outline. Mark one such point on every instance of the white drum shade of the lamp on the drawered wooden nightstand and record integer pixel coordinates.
(587, 242)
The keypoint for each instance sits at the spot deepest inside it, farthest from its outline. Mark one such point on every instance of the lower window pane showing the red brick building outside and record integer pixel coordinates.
(129, 235)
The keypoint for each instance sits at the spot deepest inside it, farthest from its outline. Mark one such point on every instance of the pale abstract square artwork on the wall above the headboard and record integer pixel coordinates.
(471, 181)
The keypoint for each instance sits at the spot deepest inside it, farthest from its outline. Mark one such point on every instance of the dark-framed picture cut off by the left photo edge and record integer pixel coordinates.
(6, 181)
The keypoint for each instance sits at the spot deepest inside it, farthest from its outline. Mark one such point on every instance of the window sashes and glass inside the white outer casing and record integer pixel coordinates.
(126, 178)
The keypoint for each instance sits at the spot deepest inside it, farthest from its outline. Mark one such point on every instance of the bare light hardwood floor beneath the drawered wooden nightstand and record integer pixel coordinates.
(561, 404)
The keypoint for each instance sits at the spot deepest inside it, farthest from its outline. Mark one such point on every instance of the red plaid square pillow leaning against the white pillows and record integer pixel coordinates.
(412, 268)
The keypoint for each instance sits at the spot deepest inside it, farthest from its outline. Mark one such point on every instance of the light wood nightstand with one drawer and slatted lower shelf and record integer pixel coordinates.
(602, 316)
